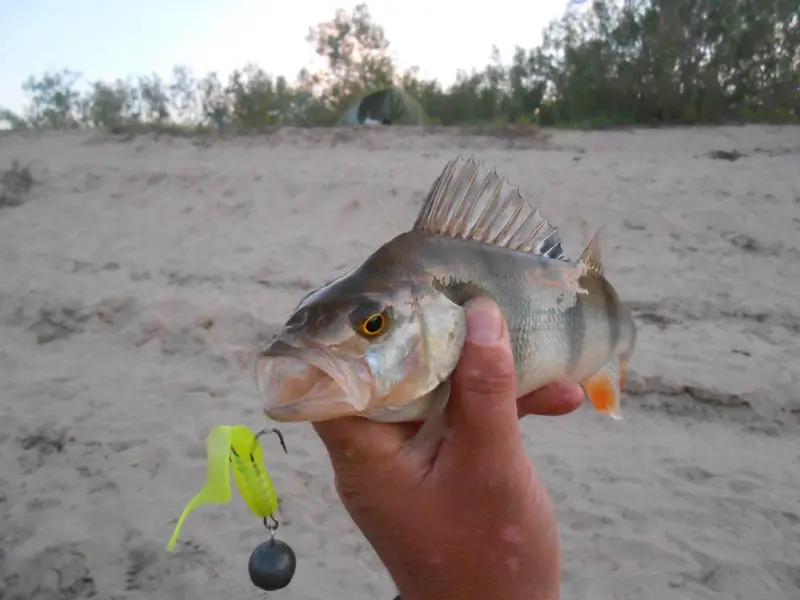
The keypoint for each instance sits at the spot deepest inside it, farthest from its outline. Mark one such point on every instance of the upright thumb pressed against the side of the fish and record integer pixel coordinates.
(483, 406)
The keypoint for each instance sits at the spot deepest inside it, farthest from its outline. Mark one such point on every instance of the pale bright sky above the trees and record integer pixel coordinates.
(109, 39)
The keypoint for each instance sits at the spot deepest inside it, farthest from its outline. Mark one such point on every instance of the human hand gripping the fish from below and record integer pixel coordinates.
(468, 518)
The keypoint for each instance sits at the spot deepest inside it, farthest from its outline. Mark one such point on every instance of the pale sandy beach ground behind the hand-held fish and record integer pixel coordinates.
(140, 274)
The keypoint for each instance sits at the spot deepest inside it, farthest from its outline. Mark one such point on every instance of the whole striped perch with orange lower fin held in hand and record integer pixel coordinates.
(382, 340)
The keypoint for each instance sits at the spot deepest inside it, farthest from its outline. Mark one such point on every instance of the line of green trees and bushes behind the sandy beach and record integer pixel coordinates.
(603, 63)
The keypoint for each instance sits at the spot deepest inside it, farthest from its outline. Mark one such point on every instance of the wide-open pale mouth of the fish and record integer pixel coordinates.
(310, 383)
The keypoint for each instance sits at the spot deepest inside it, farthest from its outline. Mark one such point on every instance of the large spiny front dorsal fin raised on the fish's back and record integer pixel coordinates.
(468, 201)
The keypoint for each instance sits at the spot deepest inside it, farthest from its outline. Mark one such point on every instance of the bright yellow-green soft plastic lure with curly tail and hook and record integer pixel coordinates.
(235, 445)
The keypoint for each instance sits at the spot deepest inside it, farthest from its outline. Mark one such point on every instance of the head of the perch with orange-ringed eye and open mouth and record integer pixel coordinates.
(347, 352)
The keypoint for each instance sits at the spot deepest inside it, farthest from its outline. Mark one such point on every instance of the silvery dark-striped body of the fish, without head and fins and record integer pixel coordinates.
(556, 333)
